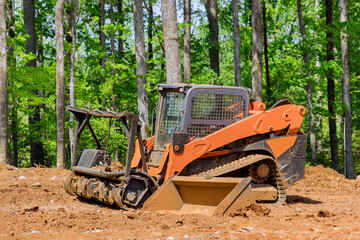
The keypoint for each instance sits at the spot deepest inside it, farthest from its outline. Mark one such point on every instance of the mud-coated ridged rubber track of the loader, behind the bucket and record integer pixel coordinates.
(246, 161)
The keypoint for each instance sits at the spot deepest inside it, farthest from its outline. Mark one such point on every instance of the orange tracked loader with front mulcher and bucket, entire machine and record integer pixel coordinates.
(214, 149)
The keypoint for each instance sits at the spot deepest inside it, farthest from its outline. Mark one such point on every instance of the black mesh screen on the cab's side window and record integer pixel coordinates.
(210, 112)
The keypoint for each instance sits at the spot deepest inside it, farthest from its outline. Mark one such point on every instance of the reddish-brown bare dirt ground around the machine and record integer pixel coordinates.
(34, 205)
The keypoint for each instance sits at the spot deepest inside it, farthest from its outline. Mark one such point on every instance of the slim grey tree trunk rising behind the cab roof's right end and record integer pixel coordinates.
(236, 33)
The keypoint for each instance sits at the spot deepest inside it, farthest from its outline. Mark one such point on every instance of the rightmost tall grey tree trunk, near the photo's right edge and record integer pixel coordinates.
(348, 154)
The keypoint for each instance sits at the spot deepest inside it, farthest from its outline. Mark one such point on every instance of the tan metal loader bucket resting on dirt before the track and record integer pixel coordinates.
(210, 196)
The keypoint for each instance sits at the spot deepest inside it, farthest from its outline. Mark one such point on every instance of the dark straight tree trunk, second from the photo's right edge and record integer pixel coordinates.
(331, 85)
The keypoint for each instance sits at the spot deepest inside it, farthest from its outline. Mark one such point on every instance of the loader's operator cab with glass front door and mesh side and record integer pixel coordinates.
(196, 111)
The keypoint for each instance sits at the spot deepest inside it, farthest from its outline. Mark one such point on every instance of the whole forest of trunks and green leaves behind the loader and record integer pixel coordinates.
(302, 58)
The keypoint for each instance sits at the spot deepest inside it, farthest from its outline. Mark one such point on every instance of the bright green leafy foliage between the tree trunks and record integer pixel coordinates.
(96, 87)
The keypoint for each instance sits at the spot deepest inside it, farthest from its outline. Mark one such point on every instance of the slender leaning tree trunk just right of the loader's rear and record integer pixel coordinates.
(308, 86)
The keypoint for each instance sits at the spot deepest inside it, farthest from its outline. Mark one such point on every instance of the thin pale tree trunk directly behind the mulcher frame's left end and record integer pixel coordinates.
(72, 23)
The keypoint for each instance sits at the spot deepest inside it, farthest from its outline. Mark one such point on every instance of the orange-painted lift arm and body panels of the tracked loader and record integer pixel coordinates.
(281, 123)
